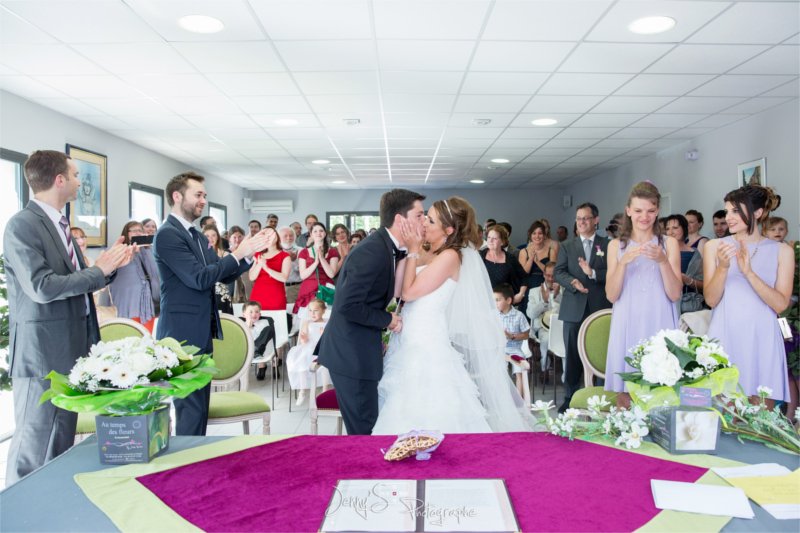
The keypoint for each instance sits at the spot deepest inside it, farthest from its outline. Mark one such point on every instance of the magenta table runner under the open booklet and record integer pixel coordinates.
(555, 484)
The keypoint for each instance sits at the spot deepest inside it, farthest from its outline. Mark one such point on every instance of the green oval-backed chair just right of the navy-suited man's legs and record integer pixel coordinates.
(232, 357)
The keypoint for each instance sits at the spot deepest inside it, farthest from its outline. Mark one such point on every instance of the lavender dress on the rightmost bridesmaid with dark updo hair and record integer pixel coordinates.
(748, 328)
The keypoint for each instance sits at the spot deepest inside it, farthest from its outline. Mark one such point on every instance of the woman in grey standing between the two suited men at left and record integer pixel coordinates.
(136, 285)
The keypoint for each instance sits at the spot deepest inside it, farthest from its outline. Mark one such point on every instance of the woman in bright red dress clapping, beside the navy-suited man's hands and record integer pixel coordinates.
(270, 270)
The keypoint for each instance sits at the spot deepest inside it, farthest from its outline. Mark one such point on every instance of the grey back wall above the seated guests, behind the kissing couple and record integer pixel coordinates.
(518, 207)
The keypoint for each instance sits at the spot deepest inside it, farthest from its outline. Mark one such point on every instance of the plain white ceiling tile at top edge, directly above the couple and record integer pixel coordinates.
(439, 19)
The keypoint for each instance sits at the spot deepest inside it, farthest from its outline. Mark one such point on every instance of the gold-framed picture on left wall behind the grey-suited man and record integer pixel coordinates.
(88, 211)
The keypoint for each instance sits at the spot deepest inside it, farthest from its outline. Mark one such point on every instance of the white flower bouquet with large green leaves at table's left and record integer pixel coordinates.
(130, 376)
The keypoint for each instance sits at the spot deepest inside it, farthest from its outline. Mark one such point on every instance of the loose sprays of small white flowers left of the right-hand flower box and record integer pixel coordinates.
(626, 426)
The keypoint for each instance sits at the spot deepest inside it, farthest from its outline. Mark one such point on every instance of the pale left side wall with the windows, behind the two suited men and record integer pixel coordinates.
(26, 126)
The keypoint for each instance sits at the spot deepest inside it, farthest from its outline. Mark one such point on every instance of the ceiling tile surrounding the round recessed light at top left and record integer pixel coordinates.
(163, 17)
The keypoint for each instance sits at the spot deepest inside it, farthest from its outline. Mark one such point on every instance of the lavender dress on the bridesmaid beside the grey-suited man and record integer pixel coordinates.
(641, 311)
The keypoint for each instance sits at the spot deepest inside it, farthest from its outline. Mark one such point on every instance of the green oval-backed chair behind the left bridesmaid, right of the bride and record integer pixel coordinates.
(593, 349)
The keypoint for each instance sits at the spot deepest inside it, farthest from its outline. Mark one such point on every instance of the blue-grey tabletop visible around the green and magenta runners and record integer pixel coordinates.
(49, 499)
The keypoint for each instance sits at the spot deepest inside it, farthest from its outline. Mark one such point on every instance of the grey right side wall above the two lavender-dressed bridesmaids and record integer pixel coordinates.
(702, 184)
